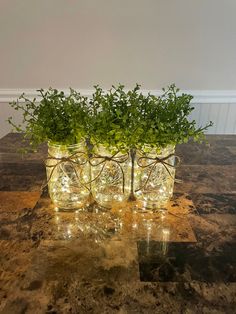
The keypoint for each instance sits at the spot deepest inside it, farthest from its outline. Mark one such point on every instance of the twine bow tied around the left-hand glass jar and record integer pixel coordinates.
(71, 159)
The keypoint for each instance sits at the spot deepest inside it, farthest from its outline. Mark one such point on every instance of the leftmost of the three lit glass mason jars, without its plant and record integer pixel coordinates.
(67, 175)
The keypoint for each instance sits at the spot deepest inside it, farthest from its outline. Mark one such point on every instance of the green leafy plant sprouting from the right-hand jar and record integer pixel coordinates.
(165, 120)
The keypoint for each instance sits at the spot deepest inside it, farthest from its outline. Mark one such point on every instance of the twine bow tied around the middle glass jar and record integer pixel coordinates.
(104, 159)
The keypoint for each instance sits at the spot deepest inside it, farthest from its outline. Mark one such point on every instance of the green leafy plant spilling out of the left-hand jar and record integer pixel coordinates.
(56, 117)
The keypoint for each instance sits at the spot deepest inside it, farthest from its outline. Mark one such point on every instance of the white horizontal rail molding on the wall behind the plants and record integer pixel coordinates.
(200, 96)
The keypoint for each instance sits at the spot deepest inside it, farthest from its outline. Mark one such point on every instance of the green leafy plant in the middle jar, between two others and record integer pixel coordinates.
(116, 118)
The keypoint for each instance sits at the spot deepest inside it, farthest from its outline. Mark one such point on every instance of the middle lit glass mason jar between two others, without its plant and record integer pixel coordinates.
(110, 177)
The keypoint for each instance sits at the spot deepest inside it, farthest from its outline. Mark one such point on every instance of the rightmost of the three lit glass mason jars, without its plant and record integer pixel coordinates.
(154, 181)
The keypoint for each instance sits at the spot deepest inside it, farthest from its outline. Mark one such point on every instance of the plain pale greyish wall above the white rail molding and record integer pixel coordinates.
(80, 43)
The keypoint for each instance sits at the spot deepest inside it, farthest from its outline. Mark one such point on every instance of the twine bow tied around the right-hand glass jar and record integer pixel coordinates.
(153, 163)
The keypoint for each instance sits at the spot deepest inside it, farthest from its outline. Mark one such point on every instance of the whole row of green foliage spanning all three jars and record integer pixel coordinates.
(118, 119)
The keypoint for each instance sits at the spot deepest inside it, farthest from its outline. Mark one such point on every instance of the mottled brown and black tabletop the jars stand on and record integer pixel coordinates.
(178, 261)
